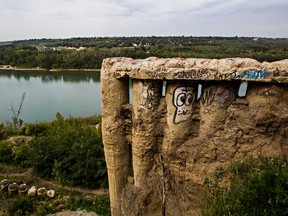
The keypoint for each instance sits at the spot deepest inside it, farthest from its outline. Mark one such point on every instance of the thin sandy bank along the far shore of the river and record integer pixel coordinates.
(9, 67)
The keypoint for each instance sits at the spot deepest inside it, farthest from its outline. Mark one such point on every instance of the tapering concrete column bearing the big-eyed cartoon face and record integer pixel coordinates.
(180, 100)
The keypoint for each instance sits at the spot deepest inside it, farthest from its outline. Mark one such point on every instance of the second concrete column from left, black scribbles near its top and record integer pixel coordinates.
(146, 99)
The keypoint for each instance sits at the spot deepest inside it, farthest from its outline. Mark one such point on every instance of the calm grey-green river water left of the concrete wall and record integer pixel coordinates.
(70, 93)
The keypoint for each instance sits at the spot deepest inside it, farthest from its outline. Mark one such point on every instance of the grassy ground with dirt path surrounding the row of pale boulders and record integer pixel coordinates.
(66, 199)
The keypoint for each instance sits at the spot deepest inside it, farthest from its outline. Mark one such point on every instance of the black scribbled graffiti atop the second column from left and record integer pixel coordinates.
(150, 95)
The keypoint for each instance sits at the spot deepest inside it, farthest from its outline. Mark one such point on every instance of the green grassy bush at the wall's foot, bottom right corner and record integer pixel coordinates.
(257, 187)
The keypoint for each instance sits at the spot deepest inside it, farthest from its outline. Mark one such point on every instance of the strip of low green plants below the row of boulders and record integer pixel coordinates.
(23, 205)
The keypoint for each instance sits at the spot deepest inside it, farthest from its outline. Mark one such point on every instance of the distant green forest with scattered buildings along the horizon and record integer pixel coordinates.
(88, 53)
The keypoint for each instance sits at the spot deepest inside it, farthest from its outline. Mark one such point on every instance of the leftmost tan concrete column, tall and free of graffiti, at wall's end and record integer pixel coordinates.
(115, 93)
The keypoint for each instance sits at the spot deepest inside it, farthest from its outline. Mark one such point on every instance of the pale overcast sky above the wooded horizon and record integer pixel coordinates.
(34, 19)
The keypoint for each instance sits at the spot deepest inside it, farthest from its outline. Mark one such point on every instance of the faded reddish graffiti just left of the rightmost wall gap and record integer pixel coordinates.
(224, 96)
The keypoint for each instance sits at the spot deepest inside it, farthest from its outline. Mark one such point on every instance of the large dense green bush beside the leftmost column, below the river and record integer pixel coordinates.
(70, 152)
